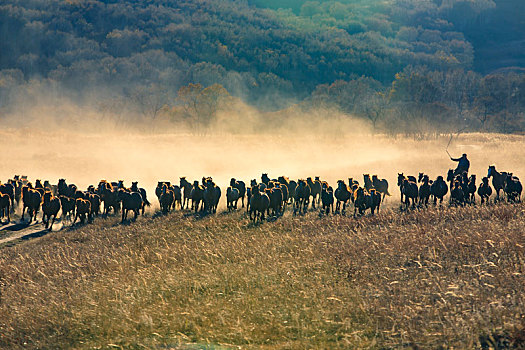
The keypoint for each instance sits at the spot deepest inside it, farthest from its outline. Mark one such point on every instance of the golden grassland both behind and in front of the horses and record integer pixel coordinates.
(434, 278)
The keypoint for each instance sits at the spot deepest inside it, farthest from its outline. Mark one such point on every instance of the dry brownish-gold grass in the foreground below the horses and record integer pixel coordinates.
(436, 278)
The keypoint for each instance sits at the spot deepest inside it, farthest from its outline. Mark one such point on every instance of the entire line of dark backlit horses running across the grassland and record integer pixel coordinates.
(267, 198)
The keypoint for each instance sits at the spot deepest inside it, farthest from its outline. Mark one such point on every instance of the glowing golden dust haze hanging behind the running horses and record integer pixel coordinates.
(323, 144)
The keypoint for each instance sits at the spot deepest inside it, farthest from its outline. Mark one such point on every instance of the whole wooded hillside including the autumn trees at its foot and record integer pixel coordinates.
(402, 55)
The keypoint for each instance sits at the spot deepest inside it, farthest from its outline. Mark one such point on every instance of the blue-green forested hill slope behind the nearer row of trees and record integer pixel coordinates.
(257, 50)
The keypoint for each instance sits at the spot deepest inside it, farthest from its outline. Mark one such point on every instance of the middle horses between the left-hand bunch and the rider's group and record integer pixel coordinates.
(271, 197)
